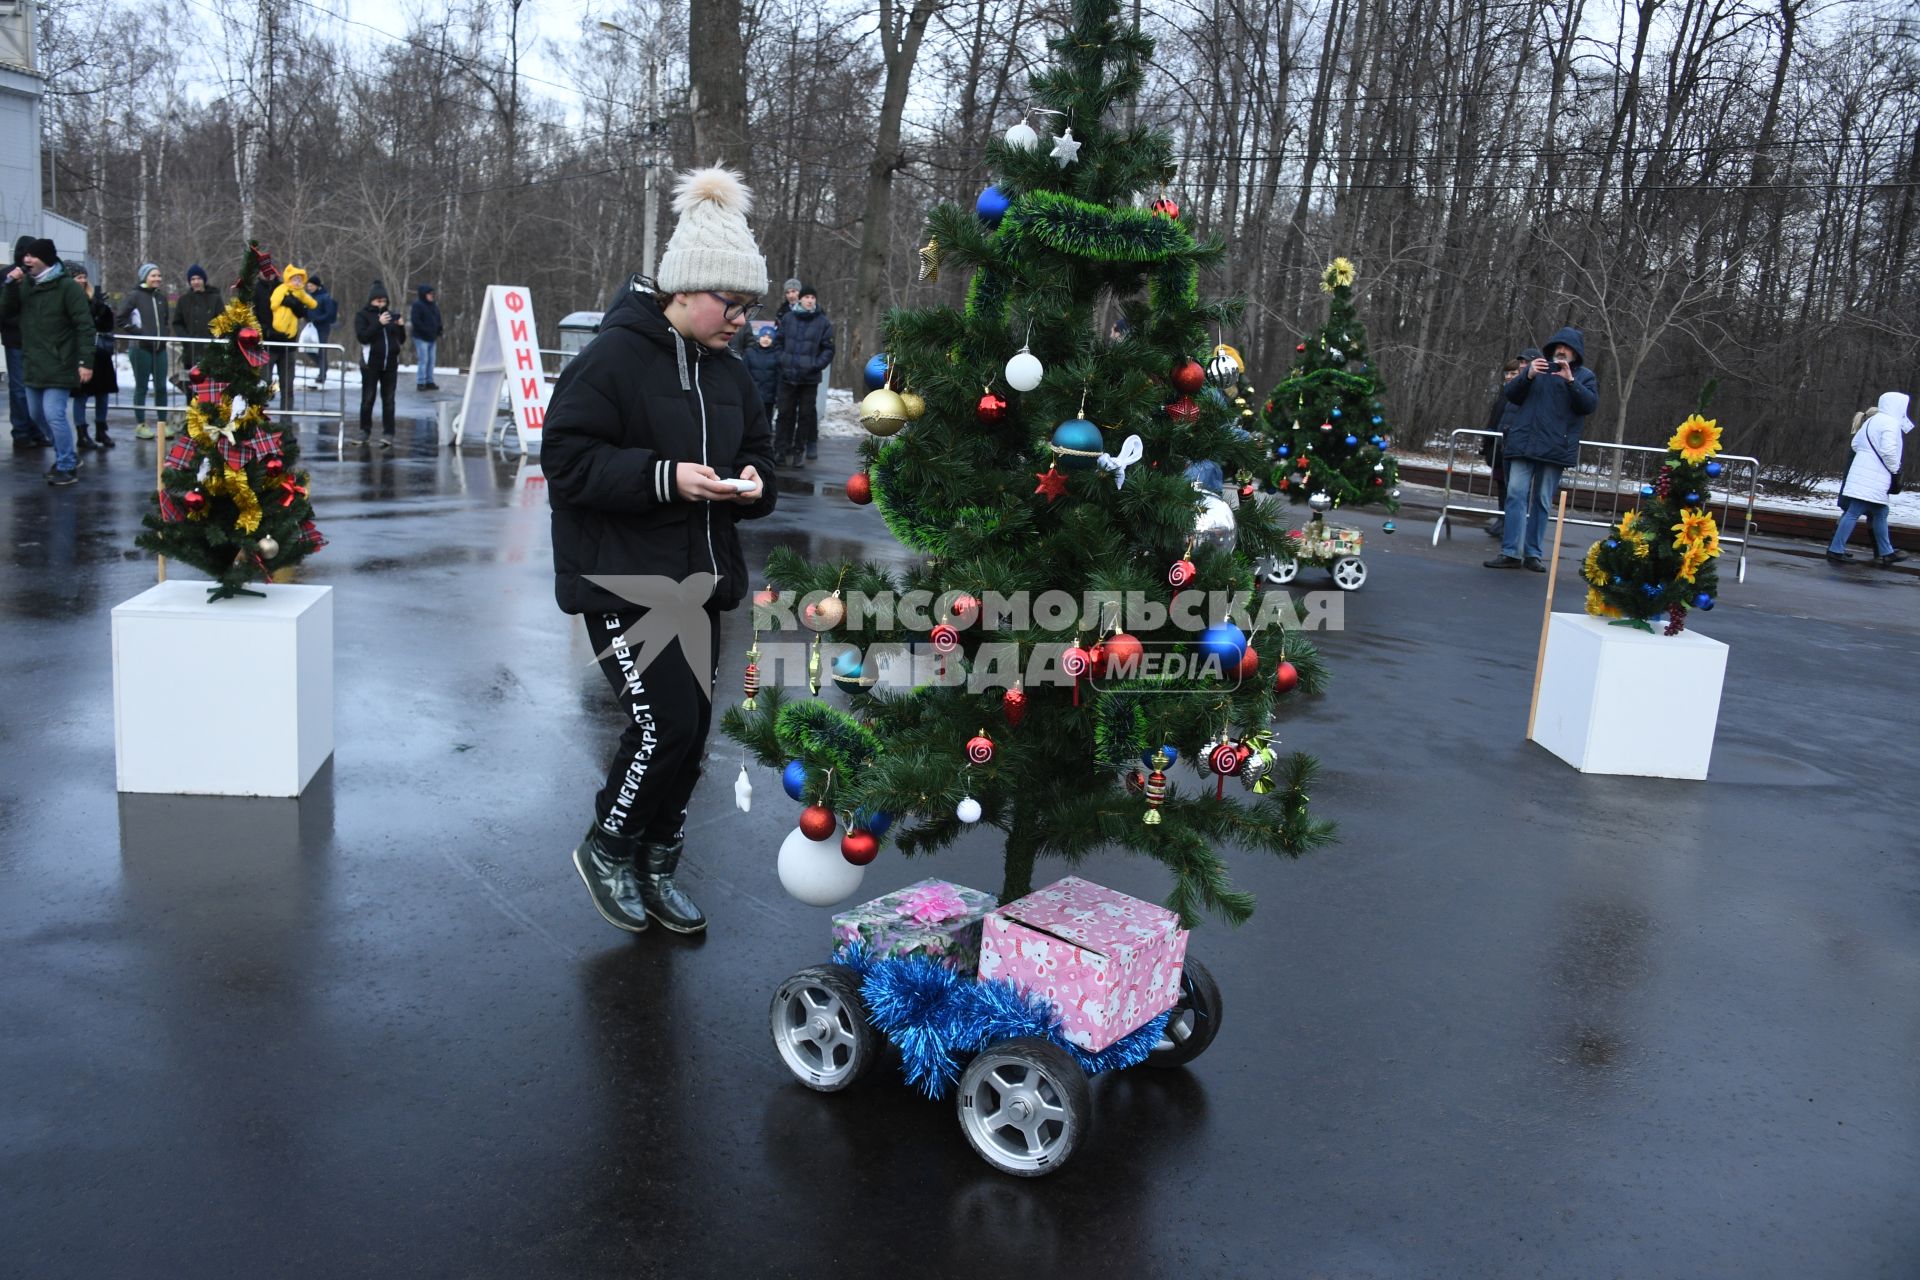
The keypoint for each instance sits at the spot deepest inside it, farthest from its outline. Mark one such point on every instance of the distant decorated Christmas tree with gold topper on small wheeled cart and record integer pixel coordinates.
(1324, 421)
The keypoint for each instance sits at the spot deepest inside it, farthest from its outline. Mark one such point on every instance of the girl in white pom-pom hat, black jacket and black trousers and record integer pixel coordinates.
(654, 446)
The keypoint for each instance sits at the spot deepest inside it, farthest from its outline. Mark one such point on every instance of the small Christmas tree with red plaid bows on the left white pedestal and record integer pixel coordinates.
(231, 502)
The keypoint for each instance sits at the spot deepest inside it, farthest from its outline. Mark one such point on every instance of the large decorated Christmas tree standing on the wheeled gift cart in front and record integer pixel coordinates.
(1001, 490)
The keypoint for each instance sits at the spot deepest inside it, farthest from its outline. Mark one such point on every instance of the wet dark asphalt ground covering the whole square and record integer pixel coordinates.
(1518, 1024)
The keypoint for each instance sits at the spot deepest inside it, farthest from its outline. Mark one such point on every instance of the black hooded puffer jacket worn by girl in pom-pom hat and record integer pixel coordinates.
(625, 414)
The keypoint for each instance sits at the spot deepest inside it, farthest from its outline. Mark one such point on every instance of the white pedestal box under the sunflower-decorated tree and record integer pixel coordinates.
(1621, 701)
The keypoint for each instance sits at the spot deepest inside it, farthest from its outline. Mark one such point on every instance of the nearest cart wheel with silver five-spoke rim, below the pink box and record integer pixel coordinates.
(1044, 1076)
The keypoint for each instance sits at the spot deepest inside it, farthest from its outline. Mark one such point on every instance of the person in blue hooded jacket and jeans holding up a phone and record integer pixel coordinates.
(1550, 396)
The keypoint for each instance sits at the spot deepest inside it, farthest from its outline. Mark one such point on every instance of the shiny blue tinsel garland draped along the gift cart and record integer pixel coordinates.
(940, 1018)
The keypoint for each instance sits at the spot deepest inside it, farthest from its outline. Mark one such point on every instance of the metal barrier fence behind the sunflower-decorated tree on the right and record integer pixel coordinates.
(1600, 486)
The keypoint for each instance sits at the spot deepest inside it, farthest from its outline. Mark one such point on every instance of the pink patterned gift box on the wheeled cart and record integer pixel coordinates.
(1105, 960)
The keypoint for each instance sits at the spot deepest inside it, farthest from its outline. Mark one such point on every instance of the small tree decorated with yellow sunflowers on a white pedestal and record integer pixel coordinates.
(1660, 559)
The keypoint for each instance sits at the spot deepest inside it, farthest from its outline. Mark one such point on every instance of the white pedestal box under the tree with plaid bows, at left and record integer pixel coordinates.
(224, 699)
